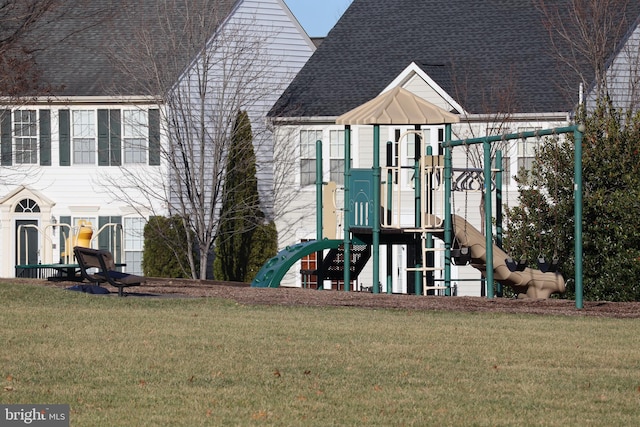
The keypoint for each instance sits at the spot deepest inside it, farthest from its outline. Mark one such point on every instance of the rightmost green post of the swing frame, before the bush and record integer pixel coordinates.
(577, 173)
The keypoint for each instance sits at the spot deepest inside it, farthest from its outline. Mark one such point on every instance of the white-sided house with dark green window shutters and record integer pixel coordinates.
(99, 117)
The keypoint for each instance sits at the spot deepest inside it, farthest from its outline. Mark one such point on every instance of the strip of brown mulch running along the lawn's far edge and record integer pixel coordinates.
(243, 294)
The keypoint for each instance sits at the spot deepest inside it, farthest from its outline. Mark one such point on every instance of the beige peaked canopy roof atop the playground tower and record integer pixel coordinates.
(397, 107)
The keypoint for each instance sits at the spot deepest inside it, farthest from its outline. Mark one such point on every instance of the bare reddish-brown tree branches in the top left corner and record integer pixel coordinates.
(30, 32)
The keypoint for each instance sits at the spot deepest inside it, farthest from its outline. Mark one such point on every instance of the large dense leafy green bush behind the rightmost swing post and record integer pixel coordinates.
(544, 219)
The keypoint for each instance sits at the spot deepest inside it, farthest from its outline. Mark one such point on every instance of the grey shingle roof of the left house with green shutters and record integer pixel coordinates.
(81, 56)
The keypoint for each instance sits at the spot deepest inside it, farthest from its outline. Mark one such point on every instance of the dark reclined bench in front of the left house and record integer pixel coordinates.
(89, 258)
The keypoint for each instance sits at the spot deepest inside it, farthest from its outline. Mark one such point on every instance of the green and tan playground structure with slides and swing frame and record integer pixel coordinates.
(373, 210)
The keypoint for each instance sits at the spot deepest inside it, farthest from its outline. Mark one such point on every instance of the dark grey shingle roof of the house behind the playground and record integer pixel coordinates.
(490, 56)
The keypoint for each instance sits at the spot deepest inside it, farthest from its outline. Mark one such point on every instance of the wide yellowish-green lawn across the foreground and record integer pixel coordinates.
(188, 362)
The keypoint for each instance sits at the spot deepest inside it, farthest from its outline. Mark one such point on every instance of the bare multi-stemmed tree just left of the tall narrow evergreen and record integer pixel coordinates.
(202, 68)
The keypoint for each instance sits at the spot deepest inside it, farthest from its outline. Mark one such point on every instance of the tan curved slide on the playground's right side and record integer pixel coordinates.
(529, 283)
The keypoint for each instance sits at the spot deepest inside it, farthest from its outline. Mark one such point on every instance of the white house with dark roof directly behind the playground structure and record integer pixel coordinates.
(494, 64)
